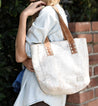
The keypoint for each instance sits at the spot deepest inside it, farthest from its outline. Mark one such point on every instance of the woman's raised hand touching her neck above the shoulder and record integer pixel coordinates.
(33, 8)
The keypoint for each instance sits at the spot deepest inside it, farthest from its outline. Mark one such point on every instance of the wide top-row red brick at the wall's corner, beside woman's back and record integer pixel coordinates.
(80, 26)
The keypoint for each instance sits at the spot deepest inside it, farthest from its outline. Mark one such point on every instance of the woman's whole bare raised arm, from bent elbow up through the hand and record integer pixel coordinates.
(21, 34)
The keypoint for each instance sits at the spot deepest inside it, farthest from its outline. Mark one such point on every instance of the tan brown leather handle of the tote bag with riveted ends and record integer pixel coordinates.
(66, 33)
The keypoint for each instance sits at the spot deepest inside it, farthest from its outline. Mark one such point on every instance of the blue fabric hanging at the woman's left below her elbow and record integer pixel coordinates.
(17, 83)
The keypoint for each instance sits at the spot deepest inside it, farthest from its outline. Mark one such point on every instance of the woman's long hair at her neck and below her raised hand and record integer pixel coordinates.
(32, 18)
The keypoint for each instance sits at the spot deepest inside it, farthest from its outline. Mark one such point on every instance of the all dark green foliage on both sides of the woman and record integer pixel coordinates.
(80, 10)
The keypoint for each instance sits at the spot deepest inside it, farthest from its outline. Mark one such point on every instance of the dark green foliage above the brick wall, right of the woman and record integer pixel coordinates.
(83, 10)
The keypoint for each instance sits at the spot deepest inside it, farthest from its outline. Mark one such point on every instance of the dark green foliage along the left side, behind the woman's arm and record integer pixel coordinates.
(9, 16)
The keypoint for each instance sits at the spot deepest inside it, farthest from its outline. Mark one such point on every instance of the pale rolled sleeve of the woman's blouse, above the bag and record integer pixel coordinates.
(39, 29)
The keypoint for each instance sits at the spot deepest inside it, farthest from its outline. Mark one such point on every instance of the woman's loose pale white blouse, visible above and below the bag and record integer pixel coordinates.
(46, 24)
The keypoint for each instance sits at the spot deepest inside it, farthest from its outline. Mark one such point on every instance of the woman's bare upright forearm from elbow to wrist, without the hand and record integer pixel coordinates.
(20, 39)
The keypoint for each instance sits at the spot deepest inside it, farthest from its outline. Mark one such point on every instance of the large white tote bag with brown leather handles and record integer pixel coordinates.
(61, 67)
